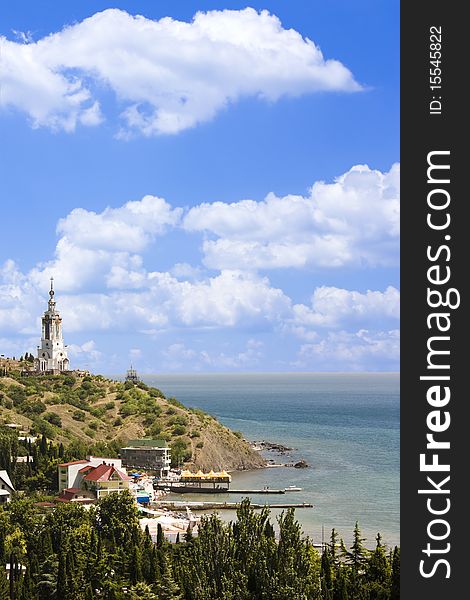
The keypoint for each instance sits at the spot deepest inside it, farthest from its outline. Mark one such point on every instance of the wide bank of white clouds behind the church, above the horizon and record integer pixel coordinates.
(103, 283)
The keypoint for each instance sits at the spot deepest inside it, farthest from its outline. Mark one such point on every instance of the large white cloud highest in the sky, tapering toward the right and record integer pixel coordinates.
(168, 75)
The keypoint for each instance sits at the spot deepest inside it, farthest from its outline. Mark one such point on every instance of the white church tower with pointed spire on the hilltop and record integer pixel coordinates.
(52, 353)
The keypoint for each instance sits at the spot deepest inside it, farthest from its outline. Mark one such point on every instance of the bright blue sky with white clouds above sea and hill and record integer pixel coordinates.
(214, 186)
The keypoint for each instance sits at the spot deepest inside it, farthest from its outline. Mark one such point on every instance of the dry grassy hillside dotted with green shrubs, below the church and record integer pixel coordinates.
(93, 411)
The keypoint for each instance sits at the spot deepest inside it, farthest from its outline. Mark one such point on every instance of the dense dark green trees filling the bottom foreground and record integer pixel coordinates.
(75, 554)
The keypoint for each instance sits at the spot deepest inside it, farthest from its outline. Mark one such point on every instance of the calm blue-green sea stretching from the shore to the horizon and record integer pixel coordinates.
(345, 426)
